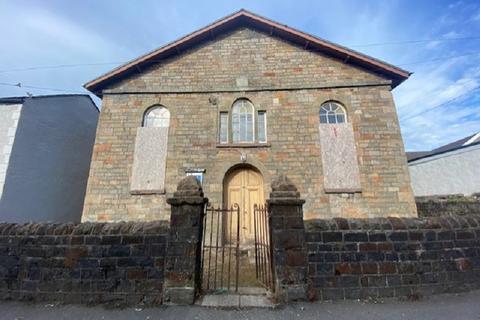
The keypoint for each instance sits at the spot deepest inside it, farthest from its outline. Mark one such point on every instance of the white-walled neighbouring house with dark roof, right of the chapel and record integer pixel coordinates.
(450, 169)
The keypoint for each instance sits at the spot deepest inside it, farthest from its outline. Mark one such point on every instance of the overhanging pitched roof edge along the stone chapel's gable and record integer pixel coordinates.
(246, 18)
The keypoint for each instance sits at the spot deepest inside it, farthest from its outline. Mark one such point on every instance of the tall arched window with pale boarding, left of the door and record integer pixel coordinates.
(149, 160)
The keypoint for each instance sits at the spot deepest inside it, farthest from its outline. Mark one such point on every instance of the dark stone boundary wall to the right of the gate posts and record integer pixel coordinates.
(392, 257)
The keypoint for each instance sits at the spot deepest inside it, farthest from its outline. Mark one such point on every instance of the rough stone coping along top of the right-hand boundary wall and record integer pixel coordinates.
(394, 223)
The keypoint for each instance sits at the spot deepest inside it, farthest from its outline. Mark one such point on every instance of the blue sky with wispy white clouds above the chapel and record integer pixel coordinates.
(52, 47)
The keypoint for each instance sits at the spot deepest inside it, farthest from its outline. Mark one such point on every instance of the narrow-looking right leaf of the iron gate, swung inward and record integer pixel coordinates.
(263, 249)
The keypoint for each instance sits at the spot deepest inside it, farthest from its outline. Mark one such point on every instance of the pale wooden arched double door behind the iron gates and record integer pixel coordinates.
(244, 186)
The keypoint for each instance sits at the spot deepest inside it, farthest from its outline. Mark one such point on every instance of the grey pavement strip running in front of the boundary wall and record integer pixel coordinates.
(448, 306)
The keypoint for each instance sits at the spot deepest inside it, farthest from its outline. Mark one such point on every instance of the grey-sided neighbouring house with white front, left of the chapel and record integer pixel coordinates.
(46, 144)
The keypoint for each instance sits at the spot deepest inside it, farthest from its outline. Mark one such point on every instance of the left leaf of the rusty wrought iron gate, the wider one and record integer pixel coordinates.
(221, 249)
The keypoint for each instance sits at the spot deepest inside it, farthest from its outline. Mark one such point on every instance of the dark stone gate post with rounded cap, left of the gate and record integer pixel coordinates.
(182, 260)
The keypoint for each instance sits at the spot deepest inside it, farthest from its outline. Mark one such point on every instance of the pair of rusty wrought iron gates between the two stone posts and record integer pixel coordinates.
(225, 258)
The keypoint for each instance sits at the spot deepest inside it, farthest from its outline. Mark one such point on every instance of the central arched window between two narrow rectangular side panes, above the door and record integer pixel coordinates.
(242, 121)
